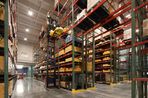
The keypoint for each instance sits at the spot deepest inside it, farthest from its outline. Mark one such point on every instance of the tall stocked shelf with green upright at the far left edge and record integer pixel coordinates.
(8, 48)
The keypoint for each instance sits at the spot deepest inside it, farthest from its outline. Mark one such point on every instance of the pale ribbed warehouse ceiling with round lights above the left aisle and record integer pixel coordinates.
(33, 23)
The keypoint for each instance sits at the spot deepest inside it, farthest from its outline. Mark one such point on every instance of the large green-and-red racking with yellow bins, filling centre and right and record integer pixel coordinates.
(101, 26)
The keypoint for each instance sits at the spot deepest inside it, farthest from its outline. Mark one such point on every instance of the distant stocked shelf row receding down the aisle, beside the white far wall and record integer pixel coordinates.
(40, 55)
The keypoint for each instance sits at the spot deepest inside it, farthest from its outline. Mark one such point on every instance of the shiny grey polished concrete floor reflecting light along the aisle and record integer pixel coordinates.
(31, 88)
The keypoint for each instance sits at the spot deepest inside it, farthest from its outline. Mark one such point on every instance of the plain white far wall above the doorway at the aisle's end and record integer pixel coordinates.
(25, 53)
